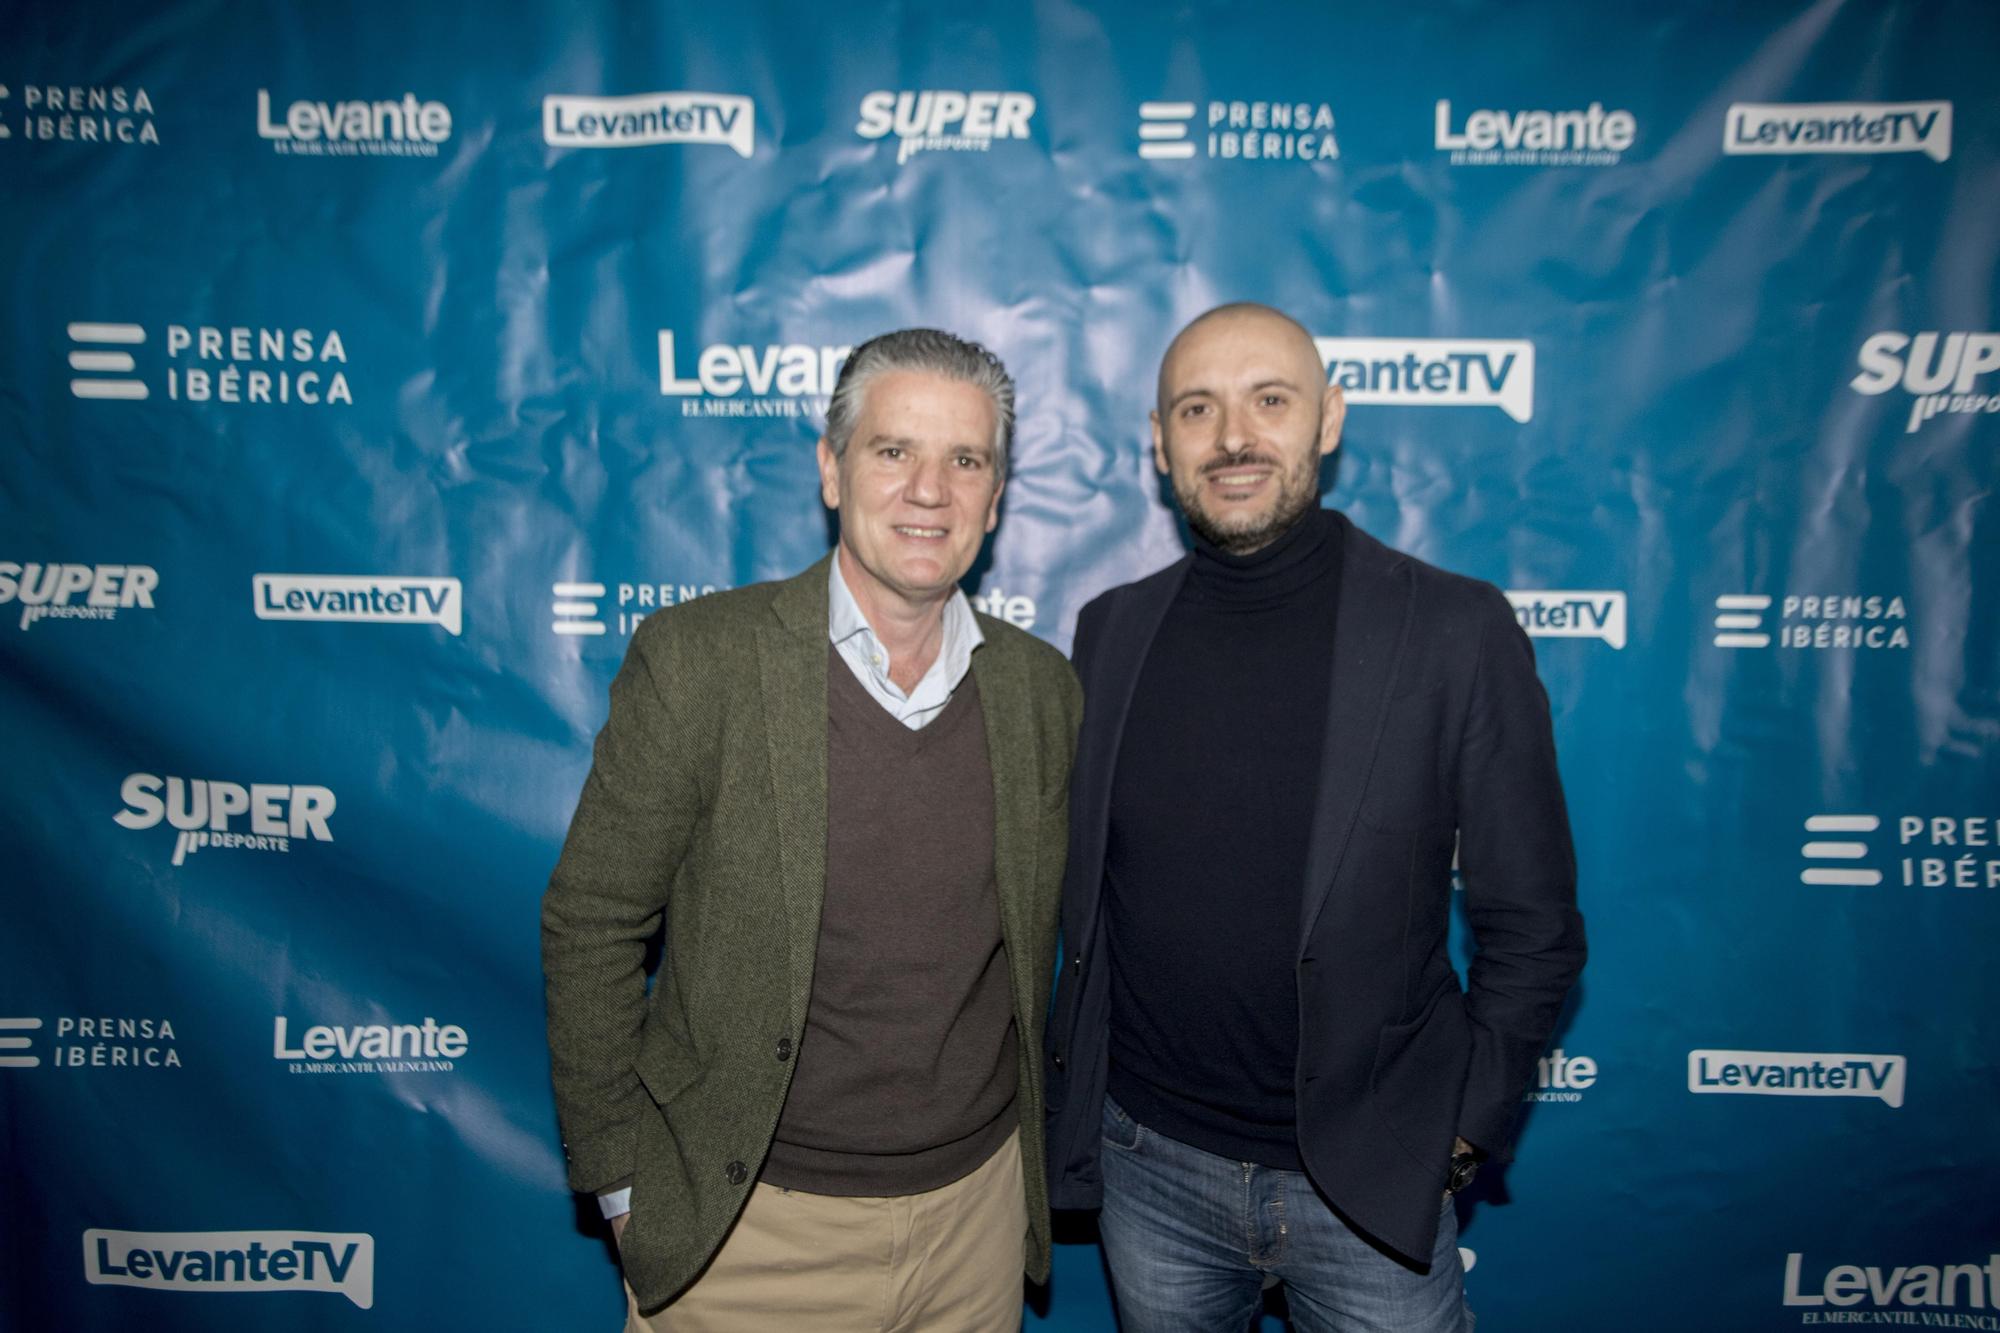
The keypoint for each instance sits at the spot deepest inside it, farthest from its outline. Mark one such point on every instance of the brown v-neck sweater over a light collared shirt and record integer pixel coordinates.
(907, 1070)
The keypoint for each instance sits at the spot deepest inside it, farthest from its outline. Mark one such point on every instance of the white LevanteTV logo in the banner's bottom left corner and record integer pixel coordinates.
(337, 1262)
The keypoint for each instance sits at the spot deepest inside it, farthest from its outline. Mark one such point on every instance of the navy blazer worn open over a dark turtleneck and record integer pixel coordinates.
(1437, 726)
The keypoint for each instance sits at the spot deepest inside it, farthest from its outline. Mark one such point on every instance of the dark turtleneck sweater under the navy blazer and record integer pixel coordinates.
(1207, 862)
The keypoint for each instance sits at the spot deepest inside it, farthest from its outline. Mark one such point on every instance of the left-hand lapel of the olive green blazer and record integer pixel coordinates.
(791, 653)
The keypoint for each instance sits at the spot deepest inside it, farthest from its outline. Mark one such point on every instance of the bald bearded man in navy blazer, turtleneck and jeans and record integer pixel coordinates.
(1263, 1064)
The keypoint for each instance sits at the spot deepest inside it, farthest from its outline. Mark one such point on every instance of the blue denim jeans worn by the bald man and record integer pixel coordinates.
(1193, 1238)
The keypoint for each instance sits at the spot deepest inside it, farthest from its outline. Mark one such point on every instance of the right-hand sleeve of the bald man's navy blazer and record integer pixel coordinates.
(1519, 874)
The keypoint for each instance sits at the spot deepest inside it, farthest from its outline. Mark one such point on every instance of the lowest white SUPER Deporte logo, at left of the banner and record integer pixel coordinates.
(205, 814)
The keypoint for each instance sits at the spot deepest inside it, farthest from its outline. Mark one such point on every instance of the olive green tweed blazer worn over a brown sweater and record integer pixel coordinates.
(707, 812)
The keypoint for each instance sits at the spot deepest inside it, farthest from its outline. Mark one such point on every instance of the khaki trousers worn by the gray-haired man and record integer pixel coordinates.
(947, 1260)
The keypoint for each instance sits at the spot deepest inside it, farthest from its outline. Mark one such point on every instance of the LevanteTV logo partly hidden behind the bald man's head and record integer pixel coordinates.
(1435, 371)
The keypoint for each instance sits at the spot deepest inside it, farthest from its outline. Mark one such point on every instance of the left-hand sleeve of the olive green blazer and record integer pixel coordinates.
(605, 900)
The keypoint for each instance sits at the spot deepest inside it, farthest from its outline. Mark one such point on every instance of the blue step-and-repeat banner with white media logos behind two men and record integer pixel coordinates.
(369, 373)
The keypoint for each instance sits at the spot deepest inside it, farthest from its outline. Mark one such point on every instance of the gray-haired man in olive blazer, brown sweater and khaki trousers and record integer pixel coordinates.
(845, 800)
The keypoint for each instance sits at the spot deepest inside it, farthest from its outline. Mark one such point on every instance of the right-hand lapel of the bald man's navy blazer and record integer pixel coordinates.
(1371, 633)
